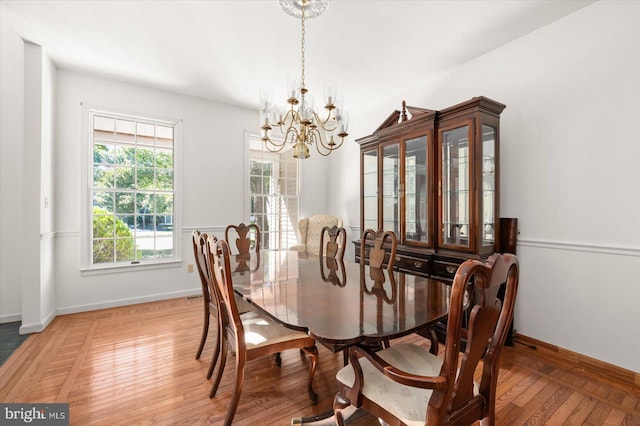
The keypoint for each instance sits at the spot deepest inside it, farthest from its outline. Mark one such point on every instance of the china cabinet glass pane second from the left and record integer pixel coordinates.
(390, 194)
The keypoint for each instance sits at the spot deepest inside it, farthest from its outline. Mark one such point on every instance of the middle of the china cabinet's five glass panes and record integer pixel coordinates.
(416, 184)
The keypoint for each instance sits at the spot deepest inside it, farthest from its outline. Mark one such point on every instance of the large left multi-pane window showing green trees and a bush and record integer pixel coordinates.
(132, 190)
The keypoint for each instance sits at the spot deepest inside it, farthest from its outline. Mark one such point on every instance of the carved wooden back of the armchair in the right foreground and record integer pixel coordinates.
(488, 324)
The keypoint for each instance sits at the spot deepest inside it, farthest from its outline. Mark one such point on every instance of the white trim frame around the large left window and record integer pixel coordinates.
(86, 265)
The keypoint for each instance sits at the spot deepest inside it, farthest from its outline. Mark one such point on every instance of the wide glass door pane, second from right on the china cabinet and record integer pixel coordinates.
(455, 181)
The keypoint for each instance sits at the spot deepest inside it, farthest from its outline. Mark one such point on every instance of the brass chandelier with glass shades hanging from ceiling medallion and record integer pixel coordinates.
(300, 124)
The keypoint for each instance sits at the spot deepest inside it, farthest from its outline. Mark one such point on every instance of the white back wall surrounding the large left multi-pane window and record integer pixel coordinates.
(212, 149)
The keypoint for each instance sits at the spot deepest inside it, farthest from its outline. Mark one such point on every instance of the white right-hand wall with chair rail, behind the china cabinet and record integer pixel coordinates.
(569, 172)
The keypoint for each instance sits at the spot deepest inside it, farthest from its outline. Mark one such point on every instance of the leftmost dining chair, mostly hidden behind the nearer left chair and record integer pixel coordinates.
(210, 301)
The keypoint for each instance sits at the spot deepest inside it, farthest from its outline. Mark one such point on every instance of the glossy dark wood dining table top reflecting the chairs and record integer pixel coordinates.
(339, 303)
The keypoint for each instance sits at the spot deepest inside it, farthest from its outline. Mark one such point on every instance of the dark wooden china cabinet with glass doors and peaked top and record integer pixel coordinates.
(432, 177)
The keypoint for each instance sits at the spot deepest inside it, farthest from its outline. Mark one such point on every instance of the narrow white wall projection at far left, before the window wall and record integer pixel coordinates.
(36, 242)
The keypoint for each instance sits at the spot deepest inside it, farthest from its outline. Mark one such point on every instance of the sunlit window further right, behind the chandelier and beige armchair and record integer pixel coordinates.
(273, 195)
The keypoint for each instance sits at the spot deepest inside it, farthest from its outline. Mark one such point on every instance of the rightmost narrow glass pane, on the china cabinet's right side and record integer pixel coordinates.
(488, 185)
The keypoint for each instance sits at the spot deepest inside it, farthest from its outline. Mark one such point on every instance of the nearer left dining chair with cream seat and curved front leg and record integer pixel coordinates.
(251, 335)
